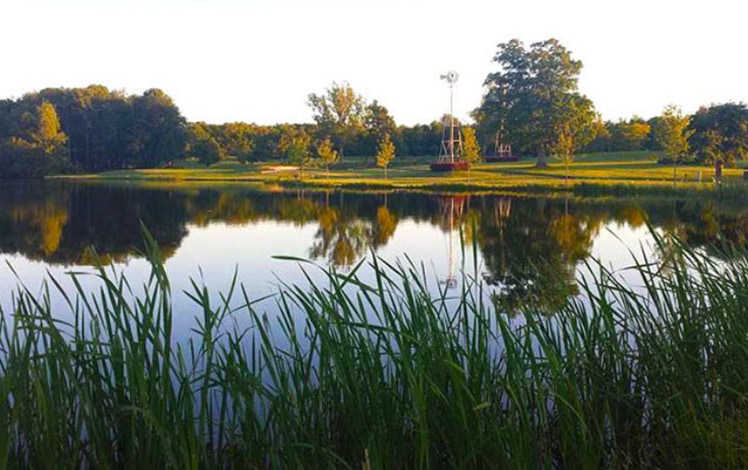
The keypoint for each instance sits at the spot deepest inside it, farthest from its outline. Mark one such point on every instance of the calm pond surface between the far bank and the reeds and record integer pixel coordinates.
(521, 247)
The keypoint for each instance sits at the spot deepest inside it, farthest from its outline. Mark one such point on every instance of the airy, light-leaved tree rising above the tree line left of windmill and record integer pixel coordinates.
(339, 113)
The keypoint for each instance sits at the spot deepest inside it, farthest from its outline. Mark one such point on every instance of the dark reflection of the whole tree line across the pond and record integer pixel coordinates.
(530, 247)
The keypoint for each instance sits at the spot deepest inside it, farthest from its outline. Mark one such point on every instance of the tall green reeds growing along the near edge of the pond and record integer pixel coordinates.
(382, 374)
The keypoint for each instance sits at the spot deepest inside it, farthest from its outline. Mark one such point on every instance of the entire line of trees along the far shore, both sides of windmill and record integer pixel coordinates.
(532, 102)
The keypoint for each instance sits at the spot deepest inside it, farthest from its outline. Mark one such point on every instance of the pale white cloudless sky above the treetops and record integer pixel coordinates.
(257, 60)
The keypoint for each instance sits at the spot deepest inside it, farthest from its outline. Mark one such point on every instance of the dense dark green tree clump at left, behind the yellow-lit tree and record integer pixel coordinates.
(105, 129)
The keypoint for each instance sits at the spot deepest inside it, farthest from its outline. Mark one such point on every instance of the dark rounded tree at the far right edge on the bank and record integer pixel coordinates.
(720, 133)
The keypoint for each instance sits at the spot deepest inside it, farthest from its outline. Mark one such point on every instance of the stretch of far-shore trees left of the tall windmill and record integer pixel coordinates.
(59, 130)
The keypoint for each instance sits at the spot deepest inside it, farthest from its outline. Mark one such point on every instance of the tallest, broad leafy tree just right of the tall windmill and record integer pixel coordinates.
(534, 99)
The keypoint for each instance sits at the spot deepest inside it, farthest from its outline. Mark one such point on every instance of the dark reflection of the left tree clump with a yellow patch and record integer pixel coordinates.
(59, 223)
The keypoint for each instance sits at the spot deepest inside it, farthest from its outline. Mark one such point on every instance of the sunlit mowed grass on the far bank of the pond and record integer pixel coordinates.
(629, 169)
